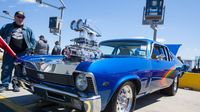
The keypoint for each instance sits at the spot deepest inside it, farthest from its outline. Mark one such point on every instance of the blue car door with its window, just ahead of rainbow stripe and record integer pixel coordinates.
(160, 66)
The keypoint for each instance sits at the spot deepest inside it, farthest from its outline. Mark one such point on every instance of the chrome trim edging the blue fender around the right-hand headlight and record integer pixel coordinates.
(89, 74)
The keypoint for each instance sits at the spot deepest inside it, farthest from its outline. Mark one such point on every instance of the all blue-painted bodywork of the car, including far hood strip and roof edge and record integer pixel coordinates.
(116, 70)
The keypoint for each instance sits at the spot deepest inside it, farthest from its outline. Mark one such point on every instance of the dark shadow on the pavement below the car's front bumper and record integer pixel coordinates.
(30, 103)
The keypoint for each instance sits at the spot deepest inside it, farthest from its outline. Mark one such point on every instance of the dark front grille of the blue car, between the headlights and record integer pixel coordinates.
(61, 79)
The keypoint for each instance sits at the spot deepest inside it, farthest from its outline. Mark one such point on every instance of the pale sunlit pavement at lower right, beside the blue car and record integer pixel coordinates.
(183, 101)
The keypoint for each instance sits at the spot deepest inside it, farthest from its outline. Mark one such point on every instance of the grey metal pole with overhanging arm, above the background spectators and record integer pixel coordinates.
(59, 8)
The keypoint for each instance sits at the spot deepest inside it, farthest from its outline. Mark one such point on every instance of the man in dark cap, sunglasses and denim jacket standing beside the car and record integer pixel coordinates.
(21, 40)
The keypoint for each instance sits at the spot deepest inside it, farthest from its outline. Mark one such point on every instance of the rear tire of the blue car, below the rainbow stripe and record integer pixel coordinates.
(172, 90)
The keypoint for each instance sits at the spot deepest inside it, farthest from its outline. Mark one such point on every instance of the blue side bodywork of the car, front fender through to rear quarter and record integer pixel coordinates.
(106, 70)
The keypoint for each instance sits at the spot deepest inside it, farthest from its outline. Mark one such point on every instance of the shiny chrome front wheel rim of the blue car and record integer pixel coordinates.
(124, 99)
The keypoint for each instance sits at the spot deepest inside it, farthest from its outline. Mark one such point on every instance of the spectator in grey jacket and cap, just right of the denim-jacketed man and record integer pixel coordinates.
(42, 46)
